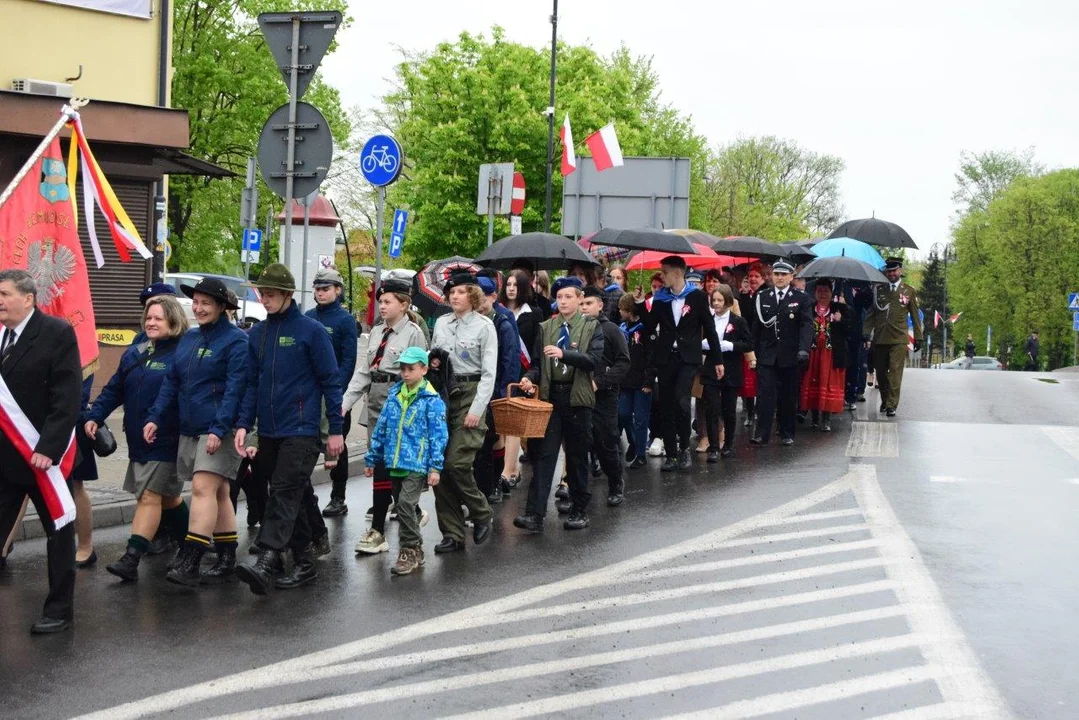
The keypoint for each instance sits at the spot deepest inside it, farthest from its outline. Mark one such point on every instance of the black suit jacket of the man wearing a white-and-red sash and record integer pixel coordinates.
(45, 375)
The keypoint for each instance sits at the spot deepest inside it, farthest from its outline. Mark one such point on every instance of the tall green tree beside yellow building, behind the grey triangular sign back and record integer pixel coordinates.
(228, 81)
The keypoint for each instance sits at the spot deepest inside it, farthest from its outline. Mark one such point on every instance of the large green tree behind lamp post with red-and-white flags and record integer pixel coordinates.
(482, 100)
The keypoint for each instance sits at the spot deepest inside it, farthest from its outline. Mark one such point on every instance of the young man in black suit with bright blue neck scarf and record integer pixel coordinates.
(679, 319)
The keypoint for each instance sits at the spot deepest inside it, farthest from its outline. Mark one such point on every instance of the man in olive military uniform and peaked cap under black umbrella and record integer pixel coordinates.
(886, 329)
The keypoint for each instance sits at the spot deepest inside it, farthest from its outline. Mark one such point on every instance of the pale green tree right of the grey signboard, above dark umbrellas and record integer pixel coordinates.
(772, 188)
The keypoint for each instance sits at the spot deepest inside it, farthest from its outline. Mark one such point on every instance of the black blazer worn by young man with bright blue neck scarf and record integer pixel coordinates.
(695, 325)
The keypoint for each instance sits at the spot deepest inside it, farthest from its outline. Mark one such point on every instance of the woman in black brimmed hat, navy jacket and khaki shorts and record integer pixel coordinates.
(204, 388)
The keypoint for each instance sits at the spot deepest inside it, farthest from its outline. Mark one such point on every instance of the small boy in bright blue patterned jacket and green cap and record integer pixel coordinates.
(411, 439)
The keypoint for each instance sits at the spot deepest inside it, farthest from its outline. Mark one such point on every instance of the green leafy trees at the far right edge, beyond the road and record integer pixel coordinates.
(1015, 265)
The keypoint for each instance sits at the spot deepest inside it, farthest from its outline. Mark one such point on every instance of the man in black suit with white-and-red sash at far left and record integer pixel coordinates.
(39, 362)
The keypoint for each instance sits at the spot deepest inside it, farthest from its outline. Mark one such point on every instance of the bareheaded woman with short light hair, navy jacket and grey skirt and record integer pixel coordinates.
(152, 471)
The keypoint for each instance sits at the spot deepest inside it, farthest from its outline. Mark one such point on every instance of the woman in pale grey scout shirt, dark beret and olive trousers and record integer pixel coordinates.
(472, 344)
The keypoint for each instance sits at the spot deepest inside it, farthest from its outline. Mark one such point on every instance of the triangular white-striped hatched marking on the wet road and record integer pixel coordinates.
(821, 608)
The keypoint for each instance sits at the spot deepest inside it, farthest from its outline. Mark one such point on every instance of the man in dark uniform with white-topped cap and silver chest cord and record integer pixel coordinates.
(783, 337)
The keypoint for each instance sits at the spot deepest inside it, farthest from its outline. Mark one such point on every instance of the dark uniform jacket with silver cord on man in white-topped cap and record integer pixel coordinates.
(778, 344)
